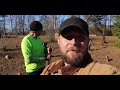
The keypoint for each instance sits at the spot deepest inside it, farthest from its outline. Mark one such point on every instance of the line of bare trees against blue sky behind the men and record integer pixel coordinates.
(98, 24)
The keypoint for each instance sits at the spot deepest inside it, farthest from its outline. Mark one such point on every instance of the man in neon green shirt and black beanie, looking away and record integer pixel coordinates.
(33, 50)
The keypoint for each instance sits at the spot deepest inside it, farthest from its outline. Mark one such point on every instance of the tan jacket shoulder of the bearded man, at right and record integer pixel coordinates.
(97, 68)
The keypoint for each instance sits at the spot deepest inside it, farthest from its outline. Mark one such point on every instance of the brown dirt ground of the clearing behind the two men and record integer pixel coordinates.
(108, 54)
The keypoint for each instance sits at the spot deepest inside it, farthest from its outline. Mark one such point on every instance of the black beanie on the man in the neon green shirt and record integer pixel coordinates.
(35, 26)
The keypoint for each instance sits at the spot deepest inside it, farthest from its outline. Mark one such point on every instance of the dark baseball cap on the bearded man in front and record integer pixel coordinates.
(75, 22)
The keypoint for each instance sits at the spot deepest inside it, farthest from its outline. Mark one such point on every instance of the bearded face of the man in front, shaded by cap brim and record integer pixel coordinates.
(73, 45)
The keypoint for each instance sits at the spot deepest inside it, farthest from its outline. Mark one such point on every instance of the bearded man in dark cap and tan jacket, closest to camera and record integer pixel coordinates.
(73, 41)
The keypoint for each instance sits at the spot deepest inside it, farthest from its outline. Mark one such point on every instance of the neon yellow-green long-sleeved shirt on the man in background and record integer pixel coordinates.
(33, 51)
